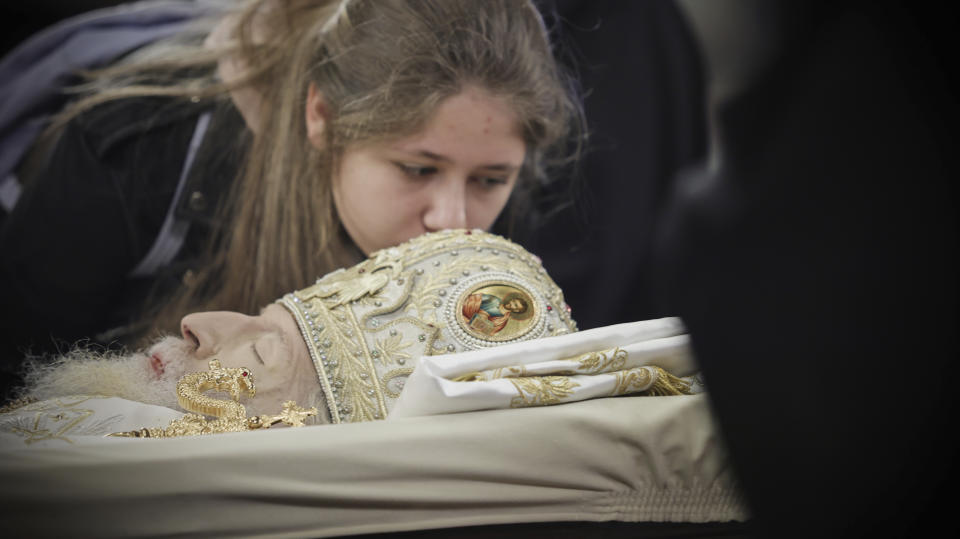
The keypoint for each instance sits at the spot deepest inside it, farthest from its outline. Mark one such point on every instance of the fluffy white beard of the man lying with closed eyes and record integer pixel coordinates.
(90, 372)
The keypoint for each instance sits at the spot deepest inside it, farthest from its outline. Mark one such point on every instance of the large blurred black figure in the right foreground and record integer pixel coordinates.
(816, 273)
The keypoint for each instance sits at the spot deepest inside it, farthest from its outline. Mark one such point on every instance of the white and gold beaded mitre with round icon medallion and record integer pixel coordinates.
(441, 293)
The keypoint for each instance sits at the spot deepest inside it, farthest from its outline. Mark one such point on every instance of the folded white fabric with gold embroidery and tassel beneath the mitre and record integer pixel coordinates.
(652, 357)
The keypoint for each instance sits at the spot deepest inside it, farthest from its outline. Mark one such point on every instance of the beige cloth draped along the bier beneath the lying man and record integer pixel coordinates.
(629, 458)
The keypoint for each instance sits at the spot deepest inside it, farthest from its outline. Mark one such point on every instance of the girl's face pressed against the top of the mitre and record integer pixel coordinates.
(458, 172)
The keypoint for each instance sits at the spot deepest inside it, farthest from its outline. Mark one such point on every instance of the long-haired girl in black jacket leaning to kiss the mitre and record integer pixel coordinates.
(285, 139)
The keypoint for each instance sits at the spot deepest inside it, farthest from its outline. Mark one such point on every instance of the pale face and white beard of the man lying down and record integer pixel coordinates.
(269, 345)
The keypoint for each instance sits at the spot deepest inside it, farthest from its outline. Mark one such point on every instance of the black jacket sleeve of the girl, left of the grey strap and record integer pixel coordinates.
(83, 223)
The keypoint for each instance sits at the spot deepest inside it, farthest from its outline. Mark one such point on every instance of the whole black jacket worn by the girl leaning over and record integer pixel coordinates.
(72, 253)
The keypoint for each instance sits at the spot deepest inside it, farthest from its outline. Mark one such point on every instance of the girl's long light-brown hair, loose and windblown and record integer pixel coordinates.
(383, 66)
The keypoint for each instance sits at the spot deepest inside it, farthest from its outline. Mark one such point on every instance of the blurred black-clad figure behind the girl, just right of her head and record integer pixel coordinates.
(643, 84)
